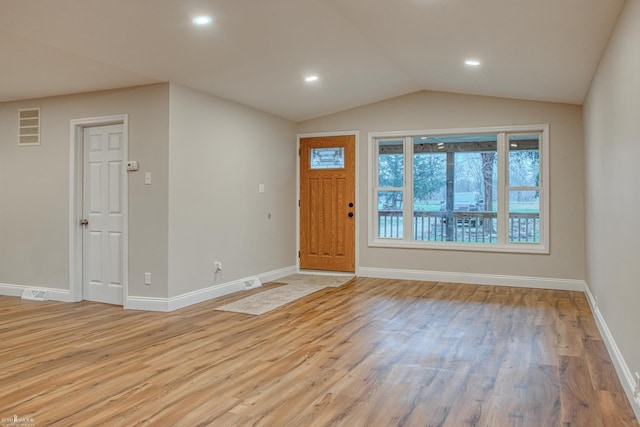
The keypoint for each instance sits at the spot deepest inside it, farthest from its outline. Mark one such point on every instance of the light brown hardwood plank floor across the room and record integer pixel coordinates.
(370, 353)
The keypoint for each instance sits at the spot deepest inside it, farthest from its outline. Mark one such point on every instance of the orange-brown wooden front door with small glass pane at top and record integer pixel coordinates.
(327, 203)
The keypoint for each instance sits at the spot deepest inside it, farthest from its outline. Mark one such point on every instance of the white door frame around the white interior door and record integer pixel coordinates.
(76, 163)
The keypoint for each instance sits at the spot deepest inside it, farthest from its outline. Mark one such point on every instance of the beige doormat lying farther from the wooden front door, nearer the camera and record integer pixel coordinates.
(263, 302)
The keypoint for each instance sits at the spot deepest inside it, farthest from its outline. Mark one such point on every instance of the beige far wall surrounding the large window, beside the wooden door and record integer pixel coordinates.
(433, 110)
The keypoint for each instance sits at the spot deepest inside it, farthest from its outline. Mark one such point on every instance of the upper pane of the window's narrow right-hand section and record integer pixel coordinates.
(524, 160)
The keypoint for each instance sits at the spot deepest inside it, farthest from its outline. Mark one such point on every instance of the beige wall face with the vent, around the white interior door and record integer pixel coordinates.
(34, 188)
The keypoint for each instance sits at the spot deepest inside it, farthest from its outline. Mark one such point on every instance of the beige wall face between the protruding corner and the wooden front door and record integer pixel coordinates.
(220, 152)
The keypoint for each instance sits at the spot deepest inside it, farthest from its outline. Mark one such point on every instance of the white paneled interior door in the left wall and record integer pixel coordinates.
(103, 219)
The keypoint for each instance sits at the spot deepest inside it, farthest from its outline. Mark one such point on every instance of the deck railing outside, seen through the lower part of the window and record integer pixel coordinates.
(465, 226)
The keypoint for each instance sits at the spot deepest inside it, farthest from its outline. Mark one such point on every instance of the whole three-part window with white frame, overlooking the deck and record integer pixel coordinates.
(476, 189)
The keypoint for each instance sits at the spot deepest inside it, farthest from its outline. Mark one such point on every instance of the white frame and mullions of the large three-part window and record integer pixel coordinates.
(503, 244)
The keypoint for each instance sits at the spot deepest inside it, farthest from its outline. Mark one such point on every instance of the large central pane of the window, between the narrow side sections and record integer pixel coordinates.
(455, 188)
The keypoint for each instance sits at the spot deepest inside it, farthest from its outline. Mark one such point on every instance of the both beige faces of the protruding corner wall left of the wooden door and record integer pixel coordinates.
(203, 204)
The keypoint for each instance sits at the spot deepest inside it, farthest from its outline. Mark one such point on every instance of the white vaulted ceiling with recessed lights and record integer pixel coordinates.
(257, 52)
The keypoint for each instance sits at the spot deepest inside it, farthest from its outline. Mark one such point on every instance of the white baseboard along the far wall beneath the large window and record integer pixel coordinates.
(475, 279)
